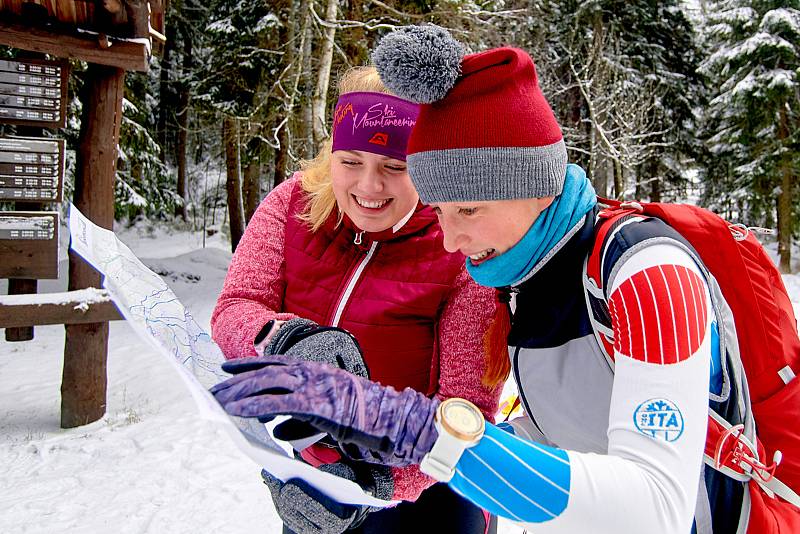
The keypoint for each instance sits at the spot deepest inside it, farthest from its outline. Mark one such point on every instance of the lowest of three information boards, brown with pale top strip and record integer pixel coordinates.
(29, 244)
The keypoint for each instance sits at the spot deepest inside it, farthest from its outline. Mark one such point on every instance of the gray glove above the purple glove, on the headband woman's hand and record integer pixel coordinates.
(306, 340)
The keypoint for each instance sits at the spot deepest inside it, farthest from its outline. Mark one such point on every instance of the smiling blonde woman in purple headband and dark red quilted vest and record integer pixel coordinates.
(346, 243)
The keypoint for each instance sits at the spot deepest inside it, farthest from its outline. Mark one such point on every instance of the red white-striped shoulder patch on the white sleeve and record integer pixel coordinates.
(659, 314)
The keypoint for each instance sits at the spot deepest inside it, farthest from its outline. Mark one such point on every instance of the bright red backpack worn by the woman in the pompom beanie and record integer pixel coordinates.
(759, 321)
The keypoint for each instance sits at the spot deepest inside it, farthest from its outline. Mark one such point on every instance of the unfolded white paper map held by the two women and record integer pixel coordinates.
(156, 314)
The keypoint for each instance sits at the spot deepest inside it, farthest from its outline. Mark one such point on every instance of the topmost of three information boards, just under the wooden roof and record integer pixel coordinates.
(33, 92)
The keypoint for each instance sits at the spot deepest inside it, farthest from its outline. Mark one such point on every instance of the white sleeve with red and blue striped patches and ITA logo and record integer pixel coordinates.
(648, 479)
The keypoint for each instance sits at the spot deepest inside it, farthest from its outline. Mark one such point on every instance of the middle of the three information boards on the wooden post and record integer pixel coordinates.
(31, 169)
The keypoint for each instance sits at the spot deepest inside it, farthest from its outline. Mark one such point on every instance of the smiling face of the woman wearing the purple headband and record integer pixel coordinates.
(374, 191)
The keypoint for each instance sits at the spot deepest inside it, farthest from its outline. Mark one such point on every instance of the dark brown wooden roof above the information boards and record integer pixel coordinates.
(118, 33)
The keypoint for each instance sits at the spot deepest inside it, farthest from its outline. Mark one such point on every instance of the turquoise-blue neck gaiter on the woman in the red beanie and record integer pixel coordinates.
(566, 211)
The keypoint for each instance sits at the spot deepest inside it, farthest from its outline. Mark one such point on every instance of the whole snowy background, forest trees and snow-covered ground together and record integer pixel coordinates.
(688, 101)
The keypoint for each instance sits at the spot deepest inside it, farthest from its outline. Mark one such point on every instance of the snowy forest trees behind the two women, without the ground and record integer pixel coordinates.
(661, 101)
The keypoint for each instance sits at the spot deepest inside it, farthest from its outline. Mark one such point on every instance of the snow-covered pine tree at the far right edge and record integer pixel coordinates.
(754, 118)
